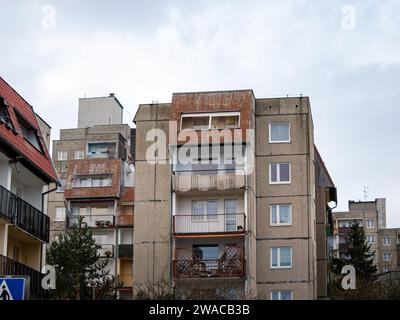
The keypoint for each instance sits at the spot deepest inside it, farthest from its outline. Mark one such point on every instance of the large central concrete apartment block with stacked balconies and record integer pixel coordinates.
(239, 215)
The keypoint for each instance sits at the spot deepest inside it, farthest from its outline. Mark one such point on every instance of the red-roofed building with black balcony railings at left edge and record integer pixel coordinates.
(26, 170)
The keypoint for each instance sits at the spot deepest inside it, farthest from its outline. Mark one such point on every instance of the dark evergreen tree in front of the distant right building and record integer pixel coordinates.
(358, 253)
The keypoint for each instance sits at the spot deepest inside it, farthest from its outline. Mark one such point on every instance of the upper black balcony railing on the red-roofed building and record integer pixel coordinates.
(24, 215)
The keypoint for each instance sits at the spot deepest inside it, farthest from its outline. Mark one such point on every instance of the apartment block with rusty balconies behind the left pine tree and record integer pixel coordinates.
(95, 167)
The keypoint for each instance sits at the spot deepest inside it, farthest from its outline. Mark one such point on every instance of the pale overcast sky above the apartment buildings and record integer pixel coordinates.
(345, 55)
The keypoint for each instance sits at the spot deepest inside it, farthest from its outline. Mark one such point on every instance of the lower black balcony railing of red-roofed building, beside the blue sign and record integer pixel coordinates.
(10, 267)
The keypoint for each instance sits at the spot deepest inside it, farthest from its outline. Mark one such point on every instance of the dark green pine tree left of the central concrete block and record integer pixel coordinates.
(80, 273)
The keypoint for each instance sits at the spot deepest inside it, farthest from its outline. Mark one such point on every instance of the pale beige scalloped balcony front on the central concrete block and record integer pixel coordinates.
(199, 180)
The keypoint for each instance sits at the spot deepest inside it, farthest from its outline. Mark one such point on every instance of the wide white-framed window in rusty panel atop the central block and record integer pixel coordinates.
(207, 121)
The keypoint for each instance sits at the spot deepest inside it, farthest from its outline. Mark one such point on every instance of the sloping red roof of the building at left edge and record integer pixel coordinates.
(39, 162)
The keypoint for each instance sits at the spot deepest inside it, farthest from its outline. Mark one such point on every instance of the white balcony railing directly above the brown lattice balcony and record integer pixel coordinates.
(209, 223)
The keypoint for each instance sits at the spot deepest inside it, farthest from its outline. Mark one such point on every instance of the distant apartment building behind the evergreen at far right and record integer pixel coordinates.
(371, 216)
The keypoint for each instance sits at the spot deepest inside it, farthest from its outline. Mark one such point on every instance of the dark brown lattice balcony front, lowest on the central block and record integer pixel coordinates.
(189, 265)
